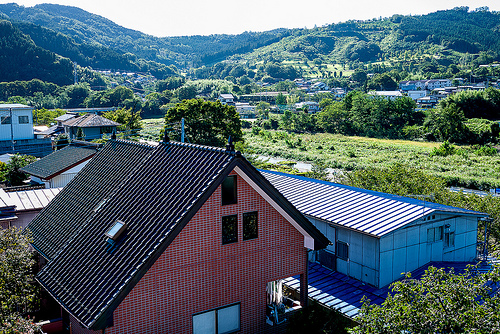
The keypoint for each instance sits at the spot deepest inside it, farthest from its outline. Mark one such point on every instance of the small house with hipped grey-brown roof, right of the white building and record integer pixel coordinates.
(93, 126)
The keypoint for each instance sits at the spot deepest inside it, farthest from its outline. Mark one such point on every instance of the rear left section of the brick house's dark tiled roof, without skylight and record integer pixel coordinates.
(73, 206)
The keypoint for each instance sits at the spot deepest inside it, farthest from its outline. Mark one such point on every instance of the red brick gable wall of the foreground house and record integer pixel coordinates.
(197, 273)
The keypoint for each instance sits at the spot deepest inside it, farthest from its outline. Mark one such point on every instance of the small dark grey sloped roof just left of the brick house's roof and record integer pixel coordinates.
(61, 160)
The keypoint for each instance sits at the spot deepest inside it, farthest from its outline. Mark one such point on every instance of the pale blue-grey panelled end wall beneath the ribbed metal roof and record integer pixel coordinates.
(409, 248)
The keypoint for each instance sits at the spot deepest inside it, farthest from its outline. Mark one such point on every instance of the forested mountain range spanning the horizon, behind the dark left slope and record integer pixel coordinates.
(446, 43)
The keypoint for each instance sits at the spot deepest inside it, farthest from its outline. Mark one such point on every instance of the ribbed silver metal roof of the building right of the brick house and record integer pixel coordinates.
(366, 211)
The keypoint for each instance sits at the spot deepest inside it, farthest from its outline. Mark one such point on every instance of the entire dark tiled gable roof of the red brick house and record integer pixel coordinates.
(156, 191)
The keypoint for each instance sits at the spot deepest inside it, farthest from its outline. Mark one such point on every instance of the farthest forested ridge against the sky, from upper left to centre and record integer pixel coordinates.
(84, 27)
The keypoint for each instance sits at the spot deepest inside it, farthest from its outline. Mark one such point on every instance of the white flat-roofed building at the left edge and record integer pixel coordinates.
(16, 131)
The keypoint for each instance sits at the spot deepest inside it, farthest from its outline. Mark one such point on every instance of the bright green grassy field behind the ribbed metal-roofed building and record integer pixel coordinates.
(348, 153)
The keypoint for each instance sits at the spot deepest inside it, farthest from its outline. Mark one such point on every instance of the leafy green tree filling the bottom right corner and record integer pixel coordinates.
(440, 302)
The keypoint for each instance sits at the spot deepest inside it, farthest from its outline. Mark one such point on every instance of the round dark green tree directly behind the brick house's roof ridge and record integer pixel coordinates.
(206, 122)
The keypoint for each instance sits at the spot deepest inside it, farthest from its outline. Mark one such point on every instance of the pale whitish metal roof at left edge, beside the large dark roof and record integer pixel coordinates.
(27, 200)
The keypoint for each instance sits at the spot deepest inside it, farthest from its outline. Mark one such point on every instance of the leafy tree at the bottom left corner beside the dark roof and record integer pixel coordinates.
(17, 292)
